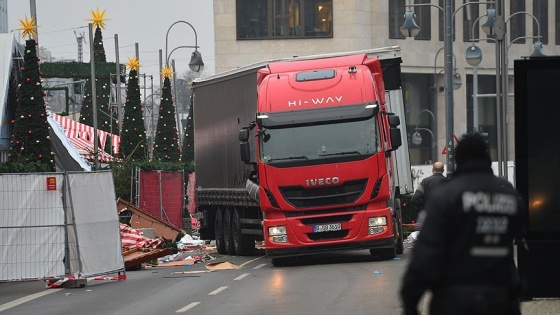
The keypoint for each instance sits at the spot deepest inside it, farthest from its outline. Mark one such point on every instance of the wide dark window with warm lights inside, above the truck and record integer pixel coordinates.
(277, 19)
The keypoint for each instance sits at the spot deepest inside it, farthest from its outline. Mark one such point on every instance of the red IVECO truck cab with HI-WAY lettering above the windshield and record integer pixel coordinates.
(324, 176)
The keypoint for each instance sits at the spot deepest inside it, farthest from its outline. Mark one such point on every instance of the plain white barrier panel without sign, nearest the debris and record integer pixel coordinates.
(91, 195)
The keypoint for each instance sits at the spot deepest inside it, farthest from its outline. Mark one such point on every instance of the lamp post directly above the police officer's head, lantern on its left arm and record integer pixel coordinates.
(410, 28)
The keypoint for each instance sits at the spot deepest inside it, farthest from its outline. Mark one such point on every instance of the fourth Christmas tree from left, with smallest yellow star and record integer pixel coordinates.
(166, 145)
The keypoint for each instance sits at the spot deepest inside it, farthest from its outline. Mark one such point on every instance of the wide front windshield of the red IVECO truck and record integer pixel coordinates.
(315, 142)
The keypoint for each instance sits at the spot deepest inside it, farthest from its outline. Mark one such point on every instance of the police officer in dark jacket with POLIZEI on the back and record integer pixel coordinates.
(464, 251)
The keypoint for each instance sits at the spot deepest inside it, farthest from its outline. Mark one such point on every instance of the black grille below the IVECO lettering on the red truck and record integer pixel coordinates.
(299, 197)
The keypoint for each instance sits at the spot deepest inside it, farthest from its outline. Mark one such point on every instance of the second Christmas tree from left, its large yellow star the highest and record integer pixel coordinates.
(106, 118)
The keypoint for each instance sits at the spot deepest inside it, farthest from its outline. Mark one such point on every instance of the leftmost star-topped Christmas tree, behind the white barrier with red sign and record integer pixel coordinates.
(30, 141)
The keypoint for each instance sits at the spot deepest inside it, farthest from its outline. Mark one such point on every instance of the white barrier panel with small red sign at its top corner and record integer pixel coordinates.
(32, 233)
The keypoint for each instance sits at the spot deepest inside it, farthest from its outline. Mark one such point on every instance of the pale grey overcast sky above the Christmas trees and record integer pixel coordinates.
(135, 21)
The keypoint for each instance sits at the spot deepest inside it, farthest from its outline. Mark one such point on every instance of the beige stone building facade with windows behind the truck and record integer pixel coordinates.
(249, 31)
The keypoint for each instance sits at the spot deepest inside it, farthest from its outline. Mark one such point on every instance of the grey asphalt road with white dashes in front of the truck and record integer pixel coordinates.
(348, 282)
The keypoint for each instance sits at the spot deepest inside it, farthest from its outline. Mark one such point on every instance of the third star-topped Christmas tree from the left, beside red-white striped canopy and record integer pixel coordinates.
(133, 136)
